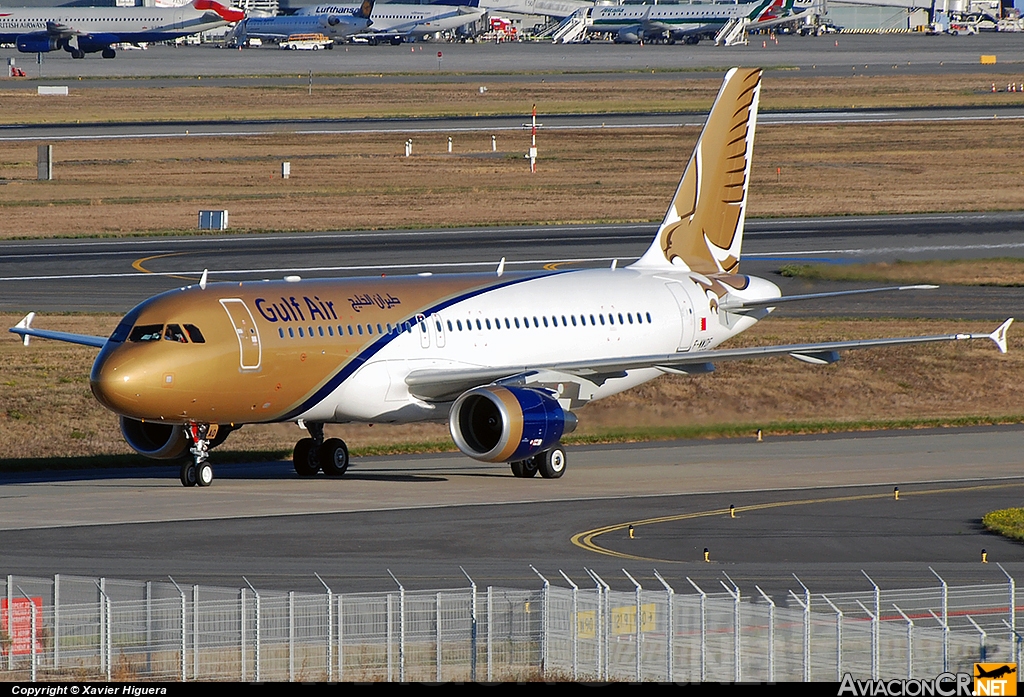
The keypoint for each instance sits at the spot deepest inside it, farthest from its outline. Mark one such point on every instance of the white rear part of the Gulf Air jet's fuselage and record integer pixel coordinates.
(580, 316)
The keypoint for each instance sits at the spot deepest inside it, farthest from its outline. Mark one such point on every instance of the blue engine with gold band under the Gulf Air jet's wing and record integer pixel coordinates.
(507, 424)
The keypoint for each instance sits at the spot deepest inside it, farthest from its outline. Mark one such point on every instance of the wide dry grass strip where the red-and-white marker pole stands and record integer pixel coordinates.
(338, 183)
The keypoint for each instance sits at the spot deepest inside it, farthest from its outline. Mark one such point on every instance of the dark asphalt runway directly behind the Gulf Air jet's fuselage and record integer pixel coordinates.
(53, 276)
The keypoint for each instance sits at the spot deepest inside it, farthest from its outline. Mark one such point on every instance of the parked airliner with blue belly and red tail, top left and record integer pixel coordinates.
(92, 30)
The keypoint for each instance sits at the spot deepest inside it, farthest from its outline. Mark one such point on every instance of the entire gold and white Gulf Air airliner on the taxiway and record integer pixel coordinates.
(505, 359)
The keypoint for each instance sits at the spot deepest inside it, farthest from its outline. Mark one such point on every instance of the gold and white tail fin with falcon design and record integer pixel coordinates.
(704, 229)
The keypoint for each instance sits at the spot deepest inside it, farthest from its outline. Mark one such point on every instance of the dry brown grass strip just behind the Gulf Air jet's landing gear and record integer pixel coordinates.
(48, 411)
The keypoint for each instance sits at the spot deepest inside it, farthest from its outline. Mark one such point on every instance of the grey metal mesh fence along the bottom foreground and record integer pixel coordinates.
(75, 628)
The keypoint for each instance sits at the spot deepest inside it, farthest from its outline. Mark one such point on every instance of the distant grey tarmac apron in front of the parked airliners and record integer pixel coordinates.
(828, 56)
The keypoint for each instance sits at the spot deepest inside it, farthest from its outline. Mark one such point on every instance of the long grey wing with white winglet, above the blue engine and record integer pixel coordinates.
(440, 385)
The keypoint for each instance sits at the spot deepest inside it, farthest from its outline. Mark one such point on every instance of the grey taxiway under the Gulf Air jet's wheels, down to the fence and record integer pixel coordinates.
(820, 507)
